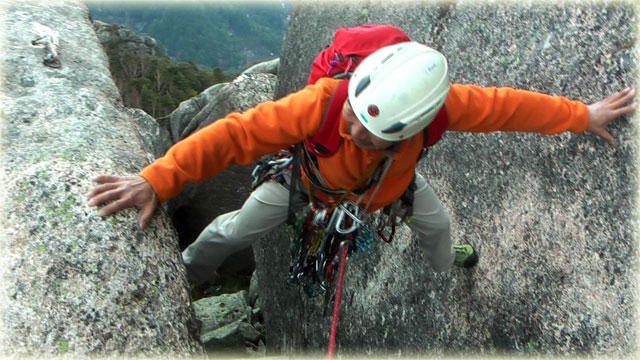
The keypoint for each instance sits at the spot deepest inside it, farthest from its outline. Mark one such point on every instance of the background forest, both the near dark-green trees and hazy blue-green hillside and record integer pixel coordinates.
(199, 44)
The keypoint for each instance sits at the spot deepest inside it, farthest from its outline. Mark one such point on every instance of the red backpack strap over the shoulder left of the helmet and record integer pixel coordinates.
(327, 140)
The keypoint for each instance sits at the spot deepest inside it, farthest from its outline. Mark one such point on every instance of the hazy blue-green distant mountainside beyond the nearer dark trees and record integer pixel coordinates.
(229, 36)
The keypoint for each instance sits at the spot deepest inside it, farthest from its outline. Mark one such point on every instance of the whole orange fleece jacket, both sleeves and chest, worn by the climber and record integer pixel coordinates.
(274, 125)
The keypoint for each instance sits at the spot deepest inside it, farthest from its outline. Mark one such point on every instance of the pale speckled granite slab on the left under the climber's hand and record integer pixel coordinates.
(72, 282)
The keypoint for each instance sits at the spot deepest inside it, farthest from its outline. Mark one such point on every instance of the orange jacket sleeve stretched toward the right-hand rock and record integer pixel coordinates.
(474, 109)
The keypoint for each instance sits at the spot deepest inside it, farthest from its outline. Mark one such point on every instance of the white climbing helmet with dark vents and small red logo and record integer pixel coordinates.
(397, 90)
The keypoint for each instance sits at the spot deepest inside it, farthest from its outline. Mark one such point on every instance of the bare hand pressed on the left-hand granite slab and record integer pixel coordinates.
(124, 192)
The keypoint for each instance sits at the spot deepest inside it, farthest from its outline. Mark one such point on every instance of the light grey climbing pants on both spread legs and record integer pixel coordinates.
(267, 208)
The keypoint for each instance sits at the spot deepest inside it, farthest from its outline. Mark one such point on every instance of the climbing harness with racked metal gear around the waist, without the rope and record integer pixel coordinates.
(317, 229)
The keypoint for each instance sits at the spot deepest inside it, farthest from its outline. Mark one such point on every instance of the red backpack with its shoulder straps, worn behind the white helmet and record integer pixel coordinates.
(338, 60)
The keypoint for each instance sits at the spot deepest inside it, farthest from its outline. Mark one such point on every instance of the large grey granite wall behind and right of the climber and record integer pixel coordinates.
(551, 216)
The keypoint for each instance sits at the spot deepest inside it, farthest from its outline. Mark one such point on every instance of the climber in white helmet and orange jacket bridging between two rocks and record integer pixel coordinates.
(393, 95)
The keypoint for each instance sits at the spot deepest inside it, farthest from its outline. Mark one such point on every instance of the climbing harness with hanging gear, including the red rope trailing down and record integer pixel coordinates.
(324, 235)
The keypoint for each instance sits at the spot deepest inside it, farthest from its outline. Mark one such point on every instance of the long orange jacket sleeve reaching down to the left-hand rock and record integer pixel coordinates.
(238, 138)
